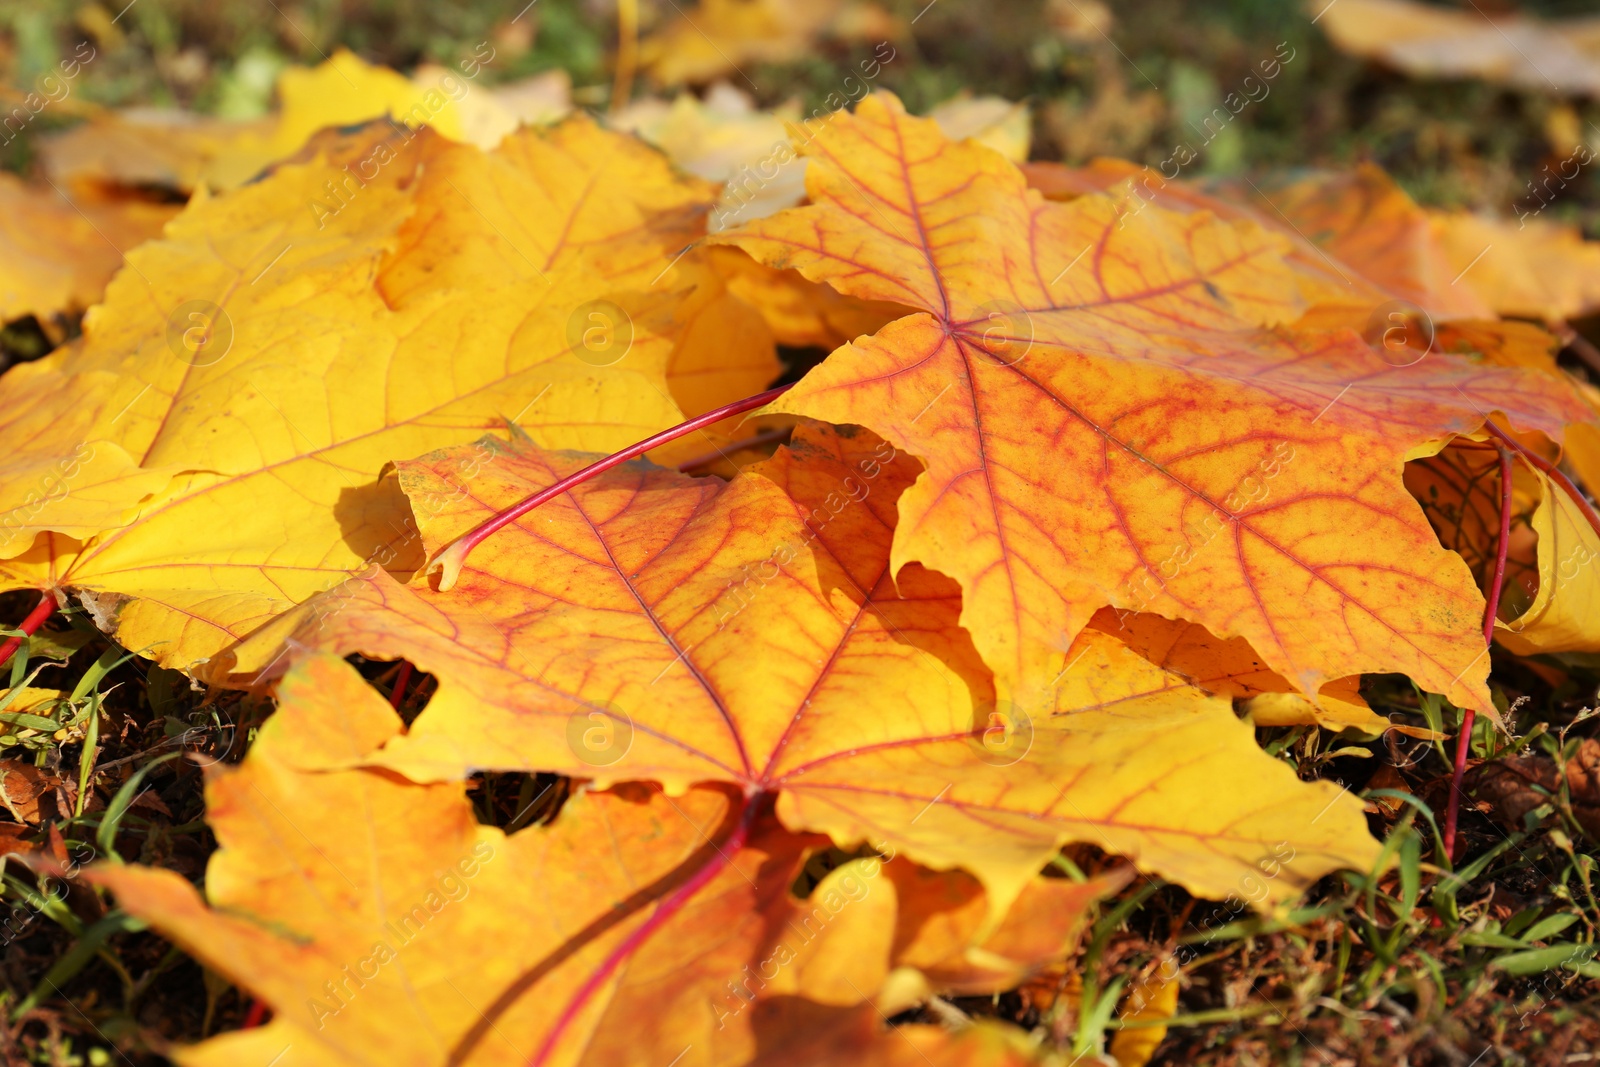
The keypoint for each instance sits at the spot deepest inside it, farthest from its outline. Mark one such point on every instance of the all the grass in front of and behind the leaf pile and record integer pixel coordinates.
(1490, 961)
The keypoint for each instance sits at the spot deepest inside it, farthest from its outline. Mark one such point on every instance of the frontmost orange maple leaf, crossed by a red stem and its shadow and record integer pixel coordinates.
(423, 938)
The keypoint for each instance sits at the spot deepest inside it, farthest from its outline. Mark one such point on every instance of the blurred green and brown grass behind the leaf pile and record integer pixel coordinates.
(1103, 79)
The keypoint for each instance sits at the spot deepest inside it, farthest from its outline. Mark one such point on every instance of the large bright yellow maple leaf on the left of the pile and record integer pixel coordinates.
(222, 426)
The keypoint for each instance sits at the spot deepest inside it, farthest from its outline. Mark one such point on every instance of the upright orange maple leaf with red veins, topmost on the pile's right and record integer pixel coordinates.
(1106, 425)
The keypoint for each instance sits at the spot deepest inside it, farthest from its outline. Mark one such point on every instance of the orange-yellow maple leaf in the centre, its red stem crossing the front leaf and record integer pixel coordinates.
(657, 628)
